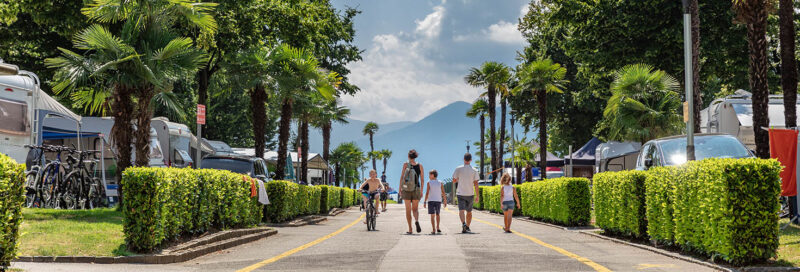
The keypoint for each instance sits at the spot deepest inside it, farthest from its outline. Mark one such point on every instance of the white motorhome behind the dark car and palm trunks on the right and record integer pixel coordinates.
(734, 115)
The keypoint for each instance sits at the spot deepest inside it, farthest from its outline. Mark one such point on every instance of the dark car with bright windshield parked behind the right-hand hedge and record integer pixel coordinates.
(671, 151)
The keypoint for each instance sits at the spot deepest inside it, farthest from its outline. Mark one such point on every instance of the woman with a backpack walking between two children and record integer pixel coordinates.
(411, 183)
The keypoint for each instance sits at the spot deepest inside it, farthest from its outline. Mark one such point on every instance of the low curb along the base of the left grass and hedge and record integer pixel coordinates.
(180, 253)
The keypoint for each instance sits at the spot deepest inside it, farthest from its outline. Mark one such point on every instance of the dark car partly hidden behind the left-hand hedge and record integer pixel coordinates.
(248, 165)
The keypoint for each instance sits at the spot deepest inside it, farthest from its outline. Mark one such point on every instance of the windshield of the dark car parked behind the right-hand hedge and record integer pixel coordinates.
(674, 150)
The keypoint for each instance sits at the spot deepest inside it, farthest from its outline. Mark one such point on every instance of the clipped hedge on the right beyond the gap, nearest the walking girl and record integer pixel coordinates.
(561, 200)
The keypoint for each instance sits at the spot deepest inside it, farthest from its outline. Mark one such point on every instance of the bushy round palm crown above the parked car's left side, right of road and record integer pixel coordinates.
(644, 105)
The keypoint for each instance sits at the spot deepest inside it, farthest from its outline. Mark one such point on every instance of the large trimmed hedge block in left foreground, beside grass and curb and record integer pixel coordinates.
(162, 204)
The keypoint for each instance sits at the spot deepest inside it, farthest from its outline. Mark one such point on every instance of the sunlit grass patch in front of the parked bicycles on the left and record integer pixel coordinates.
(49, 232)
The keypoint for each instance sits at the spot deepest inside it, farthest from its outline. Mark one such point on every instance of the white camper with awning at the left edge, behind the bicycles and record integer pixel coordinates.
(23, 107)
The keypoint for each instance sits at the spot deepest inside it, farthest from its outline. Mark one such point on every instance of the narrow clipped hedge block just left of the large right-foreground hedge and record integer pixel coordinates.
(619, 202)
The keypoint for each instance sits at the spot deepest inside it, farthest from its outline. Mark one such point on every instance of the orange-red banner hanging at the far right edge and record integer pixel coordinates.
(783, 147)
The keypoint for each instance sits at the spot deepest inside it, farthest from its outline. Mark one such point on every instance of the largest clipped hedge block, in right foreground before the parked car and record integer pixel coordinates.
(725, 208)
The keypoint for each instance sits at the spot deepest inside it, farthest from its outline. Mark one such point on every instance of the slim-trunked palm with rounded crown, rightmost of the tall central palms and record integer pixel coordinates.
(539, 78)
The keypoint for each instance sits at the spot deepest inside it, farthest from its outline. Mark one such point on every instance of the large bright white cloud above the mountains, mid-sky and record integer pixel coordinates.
(399, 83)
